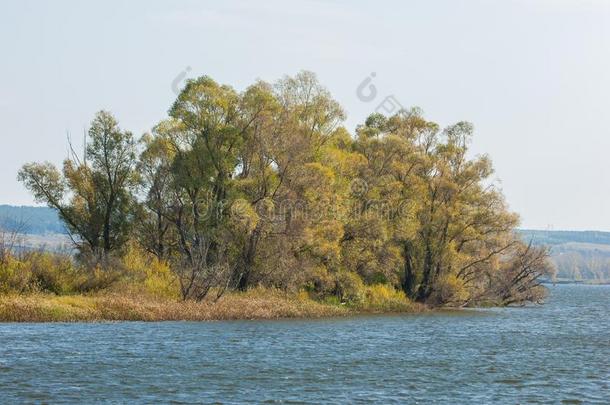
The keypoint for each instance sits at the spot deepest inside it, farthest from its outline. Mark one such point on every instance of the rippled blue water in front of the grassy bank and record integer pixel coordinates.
(559, 352)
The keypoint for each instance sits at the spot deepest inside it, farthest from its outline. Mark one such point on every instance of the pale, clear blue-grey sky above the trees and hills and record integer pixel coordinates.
(532, 76)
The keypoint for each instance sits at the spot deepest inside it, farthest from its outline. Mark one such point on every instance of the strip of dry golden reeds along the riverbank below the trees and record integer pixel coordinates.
(256, 304)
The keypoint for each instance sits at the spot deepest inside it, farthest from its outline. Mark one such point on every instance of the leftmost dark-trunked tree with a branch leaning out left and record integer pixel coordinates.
(94, 196)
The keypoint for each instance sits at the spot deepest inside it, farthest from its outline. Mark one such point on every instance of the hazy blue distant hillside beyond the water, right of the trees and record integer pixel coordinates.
(578, 256)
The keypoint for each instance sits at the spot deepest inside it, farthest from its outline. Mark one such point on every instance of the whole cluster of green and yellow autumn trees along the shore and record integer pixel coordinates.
(265, 187)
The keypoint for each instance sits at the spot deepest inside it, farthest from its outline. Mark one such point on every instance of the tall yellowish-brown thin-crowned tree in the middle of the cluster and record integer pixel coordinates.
(290, 124)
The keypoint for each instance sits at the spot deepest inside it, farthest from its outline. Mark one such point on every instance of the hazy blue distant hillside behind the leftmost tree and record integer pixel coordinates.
(30, 220)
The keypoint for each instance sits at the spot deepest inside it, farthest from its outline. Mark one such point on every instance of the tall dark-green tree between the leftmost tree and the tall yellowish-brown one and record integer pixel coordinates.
(208, 128)
